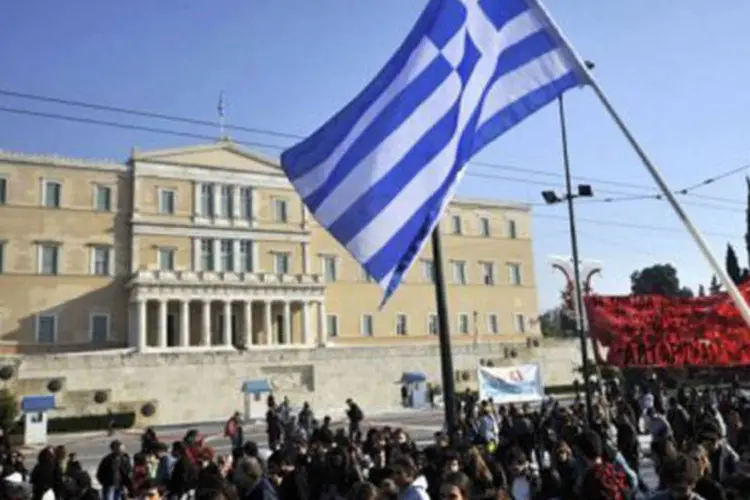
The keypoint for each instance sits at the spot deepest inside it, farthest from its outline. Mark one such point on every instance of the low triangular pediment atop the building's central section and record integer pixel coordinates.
(224, 155)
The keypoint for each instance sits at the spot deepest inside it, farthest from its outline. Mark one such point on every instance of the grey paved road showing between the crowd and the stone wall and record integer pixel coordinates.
(419, 424)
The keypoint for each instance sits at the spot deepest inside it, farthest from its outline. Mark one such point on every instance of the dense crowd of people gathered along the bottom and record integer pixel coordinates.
(699, 449)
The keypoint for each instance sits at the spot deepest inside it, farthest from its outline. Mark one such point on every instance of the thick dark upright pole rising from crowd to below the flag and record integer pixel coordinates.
(446, 358)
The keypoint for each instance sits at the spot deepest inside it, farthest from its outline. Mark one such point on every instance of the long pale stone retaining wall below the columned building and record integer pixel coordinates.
(205, 386)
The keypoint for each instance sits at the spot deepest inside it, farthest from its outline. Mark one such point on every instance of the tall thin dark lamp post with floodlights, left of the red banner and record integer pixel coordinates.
(576, 268)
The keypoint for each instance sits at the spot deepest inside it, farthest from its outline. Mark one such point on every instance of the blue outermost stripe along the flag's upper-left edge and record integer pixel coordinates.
(316, 148)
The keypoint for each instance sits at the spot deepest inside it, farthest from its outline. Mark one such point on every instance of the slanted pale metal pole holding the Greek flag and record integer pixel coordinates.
(729, 285)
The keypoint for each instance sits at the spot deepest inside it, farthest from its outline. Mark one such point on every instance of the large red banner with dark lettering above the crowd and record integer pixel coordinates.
(652, 330)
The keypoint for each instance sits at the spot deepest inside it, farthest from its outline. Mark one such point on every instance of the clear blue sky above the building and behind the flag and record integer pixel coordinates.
(676, 71)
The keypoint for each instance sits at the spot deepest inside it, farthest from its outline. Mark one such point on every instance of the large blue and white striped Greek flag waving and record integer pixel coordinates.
(379, 174)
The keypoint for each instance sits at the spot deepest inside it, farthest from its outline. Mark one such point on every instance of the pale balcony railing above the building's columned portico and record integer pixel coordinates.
(186, 278)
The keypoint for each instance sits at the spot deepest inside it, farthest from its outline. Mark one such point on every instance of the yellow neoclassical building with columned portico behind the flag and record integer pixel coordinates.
(209, 247)
